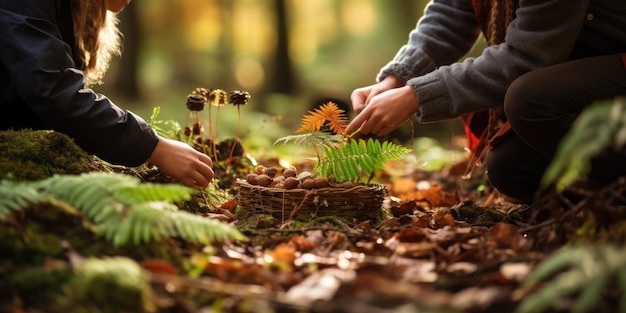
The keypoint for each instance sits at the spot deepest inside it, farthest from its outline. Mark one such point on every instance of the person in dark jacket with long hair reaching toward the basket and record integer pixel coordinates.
(51, 52)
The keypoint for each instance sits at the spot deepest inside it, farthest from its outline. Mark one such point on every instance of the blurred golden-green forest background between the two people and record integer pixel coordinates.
(290, 55)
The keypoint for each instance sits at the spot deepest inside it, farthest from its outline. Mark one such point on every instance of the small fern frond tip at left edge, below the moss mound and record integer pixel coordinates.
(15, 196)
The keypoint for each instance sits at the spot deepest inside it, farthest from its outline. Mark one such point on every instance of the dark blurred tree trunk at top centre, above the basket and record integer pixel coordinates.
(281, 76)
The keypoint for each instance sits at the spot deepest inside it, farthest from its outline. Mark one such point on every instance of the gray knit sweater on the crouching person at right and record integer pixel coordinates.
(544, 32)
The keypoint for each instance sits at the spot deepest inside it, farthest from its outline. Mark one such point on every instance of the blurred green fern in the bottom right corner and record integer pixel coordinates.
(583, 271)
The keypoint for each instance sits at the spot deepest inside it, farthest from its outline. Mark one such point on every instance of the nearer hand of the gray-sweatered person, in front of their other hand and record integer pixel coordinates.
(385, 112)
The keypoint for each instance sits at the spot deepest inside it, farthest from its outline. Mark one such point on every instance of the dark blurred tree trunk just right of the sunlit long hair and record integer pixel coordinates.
(126, 83)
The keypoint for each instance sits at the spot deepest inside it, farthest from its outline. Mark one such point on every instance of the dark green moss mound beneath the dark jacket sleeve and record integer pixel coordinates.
(33, 155)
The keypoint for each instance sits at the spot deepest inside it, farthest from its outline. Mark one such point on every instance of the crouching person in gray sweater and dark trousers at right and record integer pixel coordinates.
(546, 60)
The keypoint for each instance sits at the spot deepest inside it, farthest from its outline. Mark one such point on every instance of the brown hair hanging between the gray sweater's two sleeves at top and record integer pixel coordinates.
(501, 13)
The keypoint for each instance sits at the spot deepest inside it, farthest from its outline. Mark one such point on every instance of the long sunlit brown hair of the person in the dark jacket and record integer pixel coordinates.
(97, 37)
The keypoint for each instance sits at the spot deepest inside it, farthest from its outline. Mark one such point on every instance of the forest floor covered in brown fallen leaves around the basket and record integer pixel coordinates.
(441, 243)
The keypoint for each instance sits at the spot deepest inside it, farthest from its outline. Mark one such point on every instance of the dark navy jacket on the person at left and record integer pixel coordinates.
(42, 87)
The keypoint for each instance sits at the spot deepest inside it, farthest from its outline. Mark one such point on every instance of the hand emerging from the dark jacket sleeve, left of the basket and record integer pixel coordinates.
(182, 162)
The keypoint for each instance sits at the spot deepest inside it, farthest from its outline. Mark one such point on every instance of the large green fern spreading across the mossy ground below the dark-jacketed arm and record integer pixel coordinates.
(123, 209)
